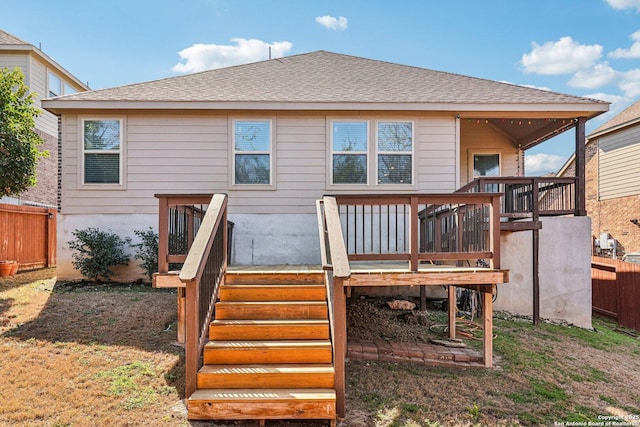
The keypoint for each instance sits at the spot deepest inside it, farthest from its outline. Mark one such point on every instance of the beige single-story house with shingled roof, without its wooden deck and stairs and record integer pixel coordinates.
(277, 135)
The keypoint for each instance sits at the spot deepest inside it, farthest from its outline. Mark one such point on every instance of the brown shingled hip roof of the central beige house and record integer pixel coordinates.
(328, 78)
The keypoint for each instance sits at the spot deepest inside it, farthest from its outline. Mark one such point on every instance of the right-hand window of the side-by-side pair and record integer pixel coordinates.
(395, 152)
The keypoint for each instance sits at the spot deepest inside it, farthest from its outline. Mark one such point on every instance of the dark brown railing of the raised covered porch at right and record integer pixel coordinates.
(526, 197)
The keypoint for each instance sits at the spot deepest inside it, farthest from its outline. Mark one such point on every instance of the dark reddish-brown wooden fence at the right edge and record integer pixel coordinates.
(615, 287)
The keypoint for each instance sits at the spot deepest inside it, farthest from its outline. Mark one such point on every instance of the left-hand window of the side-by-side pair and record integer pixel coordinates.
(349, 152)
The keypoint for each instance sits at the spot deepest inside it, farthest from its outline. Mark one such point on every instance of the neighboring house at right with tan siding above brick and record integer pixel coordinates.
(613, 183)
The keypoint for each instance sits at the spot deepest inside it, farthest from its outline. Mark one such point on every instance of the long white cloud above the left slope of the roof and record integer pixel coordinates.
(200, 57)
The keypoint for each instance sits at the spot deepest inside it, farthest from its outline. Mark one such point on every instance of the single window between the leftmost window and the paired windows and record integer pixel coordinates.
(252, 152)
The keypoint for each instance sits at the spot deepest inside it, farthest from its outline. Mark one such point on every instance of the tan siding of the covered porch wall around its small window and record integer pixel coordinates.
(482, 139)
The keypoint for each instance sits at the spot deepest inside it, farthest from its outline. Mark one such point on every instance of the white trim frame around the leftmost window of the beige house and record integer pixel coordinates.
(81, 152)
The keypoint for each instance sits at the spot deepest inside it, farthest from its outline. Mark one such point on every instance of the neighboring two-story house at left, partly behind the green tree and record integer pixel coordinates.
(47, 79)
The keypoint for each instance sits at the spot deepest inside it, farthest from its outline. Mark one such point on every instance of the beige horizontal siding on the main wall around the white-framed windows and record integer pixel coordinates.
(191, 153)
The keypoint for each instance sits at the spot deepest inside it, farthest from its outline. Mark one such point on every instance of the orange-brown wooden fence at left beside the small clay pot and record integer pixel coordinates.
(28, 235)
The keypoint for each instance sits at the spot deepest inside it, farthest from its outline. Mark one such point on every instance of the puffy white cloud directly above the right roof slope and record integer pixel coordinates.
(564, 56)
